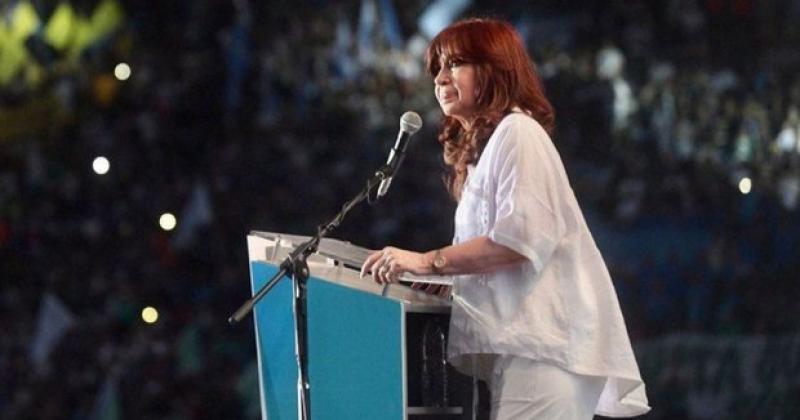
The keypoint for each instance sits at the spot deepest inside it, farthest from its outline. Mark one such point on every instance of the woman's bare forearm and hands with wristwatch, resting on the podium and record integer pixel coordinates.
(479, 255)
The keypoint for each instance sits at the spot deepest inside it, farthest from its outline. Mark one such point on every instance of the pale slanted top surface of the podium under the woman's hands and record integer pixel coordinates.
(340, 262)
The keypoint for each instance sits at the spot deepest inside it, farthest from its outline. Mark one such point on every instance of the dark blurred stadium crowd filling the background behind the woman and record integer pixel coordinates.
(677, 120)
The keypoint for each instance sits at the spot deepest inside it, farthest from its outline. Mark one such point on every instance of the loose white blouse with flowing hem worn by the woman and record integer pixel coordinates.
(560, 305)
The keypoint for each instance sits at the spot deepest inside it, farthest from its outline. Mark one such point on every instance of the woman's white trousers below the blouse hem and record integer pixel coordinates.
(527, 389)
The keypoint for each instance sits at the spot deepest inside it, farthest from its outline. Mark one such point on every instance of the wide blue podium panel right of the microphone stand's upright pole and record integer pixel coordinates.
(355, 354)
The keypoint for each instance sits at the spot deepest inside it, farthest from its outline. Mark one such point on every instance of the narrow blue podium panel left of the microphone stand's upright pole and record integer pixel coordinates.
(275, 334)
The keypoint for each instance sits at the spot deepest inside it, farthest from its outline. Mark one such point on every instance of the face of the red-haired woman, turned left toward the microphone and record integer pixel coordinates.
(455, 87)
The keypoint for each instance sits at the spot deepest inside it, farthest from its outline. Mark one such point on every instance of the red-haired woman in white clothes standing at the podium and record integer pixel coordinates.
(534, 312)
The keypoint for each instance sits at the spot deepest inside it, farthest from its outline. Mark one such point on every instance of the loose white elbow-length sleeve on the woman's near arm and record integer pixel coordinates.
(528, 175)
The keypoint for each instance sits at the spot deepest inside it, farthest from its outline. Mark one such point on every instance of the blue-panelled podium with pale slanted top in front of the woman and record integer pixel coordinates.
(374, 352)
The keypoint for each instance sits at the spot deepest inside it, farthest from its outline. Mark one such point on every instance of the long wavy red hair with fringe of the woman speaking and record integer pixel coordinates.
(506, 77)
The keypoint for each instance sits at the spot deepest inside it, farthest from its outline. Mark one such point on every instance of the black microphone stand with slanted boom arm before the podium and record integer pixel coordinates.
(296, 266)
